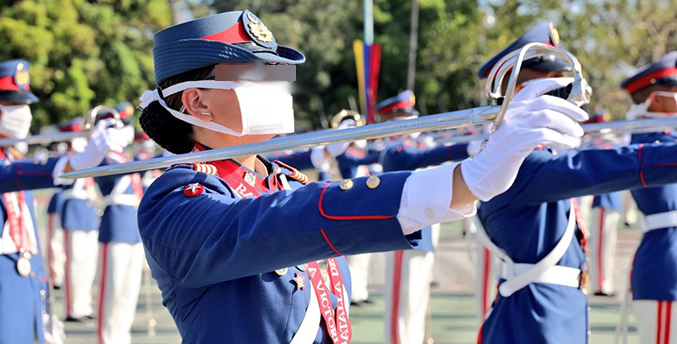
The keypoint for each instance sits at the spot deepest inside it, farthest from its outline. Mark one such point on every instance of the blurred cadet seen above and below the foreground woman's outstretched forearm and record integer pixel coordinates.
(409, 272)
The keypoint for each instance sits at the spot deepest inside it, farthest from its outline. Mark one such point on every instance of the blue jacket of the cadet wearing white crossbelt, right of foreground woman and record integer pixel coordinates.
(529, 219)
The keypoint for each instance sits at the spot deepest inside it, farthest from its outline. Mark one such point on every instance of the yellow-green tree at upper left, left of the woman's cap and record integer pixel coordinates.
(82, 53)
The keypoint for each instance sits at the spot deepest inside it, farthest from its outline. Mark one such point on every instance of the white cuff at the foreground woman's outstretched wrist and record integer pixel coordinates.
(426, 197)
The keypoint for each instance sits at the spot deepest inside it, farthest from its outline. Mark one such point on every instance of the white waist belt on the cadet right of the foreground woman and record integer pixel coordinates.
(559, 275)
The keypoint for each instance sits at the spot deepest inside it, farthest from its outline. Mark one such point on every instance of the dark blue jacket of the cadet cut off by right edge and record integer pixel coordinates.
(654, 268)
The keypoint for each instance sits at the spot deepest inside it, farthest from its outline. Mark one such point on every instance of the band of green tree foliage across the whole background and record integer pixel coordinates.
(85, 53)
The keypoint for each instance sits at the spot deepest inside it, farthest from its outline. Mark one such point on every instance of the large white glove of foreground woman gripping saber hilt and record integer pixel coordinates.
(531, 120)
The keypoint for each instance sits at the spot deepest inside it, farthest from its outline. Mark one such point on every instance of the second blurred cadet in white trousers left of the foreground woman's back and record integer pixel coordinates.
(80, 222)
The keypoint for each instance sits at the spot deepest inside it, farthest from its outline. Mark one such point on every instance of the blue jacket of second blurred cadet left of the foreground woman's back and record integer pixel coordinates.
(78, 214)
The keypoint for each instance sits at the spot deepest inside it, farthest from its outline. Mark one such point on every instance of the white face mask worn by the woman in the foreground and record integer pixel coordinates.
(266, 107)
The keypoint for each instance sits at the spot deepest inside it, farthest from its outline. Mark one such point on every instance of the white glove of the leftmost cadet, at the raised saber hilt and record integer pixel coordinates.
(102, 141)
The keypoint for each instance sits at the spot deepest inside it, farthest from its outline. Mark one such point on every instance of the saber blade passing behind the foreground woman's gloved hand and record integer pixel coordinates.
(638, 126)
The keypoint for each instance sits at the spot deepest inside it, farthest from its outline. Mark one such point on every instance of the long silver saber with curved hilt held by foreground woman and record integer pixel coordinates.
(454, 119)
